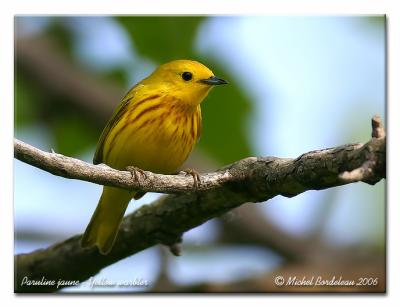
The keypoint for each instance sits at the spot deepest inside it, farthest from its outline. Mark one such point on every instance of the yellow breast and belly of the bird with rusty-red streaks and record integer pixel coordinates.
(159, 140)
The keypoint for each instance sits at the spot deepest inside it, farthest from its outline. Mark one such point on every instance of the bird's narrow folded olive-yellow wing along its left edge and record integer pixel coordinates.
(98, 156)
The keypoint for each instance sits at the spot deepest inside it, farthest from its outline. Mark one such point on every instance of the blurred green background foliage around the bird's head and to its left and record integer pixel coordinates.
(159, 40)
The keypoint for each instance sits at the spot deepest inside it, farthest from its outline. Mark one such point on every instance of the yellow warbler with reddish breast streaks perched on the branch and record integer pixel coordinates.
(154, 128)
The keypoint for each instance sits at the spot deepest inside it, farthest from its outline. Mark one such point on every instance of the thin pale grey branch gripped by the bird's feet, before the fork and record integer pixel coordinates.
(102, 174)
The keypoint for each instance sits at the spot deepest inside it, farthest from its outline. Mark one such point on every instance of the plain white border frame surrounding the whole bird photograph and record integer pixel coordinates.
(239, 7)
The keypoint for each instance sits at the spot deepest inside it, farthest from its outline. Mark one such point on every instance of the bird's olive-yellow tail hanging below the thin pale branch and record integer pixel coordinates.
(103, 227)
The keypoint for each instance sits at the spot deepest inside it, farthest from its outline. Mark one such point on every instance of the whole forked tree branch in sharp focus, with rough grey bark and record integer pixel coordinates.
(165, 220)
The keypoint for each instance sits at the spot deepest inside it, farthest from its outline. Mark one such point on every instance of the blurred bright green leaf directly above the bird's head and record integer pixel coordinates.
(163, 38)
